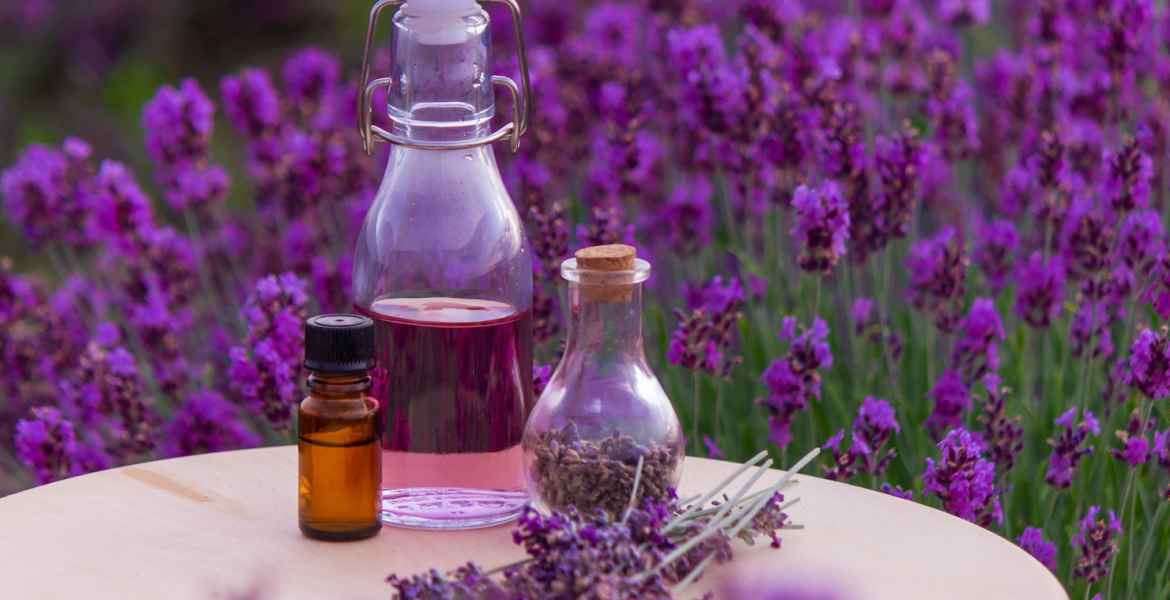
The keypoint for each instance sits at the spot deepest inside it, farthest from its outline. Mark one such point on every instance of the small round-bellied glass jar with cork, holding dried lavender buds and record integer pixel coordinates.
(603, 411)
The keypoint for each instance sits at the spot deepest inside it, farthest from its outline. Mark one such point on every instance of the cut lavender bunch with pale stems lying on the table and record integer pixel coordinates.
(655, 550)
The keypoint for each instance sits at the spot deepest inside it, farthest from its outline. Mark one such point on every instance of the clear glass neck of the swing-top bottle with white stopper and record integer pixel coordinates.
(442, 72)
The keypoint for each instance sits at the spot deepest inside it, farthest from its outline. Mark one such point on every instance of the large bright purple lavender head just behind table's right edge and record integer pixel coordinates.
(963, 480)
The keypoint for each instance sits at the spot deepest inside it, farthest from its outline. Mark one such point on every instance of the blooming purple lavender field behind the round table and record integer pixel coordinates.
(926, 237)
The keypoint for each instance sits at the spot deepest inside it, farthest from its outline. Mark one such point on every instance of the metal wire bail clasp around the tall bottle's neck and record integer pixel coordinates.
(522, 104)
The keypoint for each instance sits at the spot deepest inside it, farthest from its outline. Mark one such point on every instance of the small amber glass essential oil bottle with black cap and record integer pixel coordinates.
(339, 447)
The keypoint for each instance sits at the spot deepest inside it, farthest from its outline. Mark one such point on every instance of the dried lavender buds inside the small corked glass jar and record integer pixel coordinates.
(598, 474)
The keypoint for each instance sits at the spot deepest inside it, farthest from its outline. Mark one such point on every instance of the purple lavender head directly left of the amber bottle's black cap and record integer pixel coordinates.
(267, 378)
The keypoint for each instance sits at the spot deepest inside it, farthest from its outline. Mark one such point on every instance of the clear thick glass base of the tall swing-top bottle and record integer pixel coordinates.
(450, 508)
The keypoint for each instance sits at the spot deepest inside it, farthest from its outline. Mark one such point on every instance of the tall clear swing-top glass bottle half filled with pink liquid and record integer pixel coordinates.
(444, 270)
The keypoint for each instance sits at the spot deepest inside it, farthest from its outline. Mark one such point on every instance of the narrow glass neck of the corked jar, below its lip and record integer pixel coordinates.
(605, 325)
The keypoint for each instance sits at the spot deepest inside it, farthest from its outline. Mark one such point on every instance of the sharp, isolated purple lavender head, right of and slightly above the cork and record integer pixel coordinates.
(822, 226)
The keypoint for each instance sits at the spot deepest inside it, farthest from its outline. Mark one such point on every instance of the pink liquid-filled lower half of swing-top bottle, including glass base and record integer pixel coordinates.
(455, 388)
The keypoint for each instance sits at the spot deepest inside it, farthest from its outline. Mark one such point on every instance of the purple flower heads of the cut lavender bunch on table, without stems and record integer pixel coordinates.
(590, 556)
